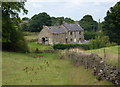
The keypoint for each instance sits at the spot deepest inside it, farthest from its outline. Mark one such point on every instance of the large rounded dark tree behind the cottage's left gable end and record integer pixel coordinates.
(37, 22)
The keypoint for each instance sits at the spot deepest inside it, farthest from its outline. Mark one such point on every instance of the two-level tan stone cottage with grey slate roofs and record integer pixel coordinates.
(65, 33)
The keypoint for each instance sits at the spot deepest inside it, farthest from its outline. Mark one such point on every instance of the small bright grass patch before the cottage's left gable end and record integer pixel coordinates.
(34, 45)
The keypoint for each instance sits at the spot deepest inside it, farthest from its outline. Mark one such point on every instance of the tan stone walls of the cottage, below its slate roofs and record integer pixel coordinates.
(75, 37)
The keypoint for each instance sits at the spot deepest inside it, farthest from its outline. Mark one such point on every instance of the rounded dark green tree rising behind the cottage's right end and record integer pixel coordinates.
(88, 23)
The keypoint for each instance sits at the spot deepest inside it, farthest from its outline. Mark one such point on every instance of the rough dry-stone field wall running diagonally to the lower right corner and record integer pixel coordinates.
(101, 69)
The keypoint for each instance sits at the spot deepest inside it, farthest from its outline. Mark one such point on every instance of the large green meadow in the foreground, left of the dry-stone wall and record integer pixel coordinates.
(58, 72)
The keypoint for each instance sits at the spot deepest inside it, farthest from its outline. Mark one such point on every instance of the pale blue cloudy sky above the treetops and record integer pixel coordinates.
(74, 9)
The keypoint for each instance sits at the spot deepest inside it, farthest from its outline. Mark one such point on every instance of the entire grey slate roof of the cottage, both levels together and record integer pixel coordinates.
(62, 29)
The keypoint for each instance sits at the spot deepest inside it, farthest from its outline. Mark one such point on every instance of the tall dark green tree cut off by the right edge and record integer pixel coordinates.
(111, 25)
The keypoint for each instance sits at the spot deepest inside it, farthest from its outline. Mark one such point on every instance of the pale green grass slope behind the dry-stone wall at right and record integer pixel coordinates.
(111, 54)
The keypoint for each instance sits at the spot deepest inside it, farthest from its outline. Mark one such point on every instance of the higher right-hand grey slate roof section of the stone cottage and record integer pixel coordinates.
(73, 27)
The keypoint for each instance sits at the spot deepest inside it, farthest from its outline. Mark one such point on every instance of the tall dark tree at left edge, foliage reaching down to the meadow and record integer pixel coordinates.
(12, 38)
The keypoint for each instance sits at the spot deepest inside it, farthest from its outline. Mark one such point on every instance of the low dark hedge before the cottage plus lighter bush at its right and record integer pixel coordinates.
(99, 42)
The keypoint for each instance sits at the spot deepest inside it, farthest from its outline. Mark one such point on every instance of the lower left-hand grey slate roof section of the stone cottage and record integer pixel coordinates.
(57, 29)
